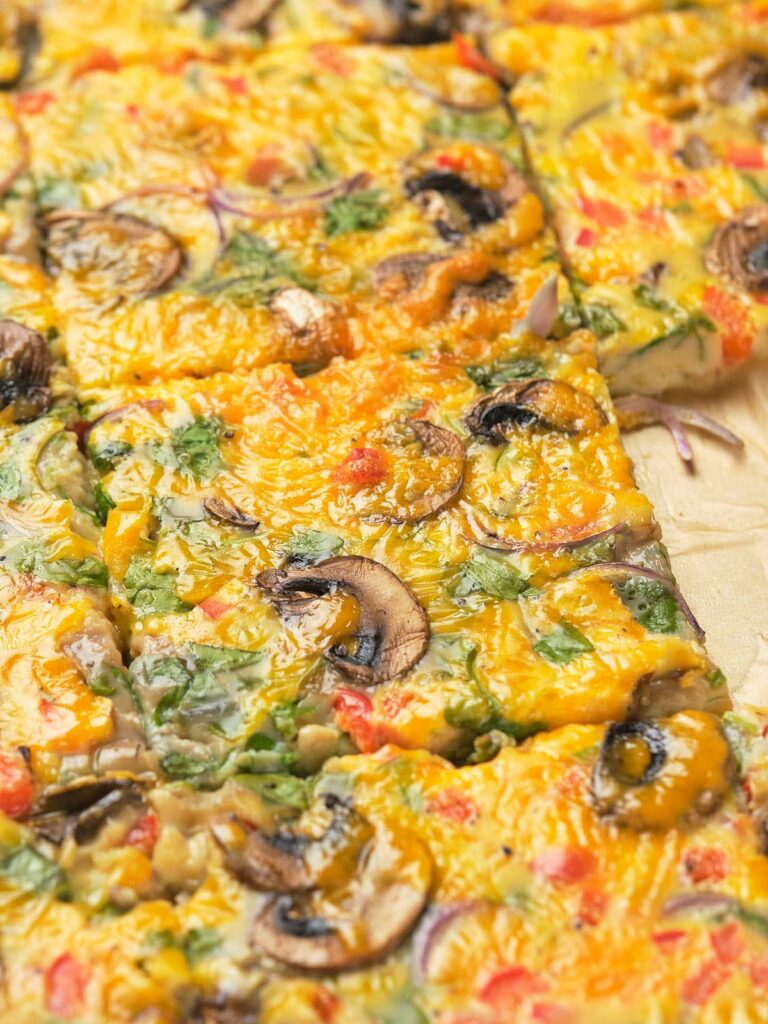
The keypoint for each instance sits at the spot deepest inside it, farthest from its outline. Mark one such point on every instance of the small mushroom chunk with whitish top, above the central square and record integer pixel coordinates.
(316, 326)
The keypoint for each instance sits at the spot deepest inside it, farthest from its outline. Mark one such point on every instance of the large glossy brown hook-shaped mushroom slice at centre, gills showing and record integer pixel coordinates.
(394, 630)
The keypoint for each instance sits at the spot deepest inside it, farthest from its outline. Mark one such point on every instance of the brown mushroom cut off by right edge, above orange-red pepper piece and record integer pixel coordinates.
(739, 250)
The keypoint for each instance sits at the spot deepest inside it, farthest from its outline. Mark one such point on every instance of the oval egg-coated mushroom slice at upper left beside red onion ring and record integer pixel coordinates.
(115, 251)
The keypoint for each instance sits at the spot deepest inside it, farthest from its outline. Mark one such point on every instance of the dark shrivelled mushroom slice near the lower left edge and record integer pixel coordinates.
(81, 809)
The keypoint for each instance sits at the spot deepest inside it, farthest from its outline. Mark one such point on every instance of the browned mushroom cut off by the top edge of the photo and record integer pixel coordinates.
(411, 22)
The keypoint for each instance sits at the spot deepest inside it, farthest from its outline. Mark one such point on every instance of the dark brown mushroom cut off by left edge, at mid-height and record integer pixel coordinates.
(25, 369)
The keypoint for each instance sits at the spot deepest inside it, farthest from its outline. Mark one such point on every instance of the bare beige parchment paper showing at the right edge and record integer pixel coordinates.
(715, 524)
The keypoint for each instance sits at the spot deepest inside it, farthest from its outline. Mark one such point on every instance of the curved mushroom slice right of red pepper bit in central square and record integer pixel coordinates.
(422, 498)
